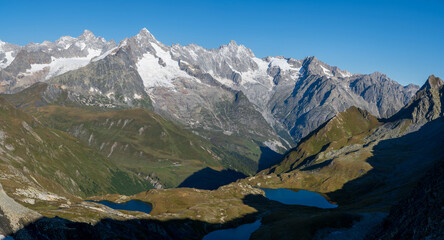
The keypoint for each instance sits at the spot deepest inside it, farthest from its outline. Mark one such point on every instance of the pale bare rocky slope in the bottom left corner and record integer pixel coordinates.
(13, 216)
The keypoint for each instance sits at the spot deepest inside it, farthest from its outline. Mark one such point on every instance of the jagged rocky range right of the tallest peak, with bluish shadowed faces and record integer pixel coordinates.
(296, 95)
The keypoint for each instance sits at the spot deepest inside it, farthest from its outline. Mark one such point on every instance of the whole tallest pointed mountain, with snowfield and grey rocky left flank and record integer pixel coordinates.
(141, 73)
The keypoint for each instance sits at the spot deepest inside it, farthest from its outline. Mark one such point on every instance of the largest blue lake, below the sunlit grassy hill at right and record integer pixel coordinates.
(298, 197)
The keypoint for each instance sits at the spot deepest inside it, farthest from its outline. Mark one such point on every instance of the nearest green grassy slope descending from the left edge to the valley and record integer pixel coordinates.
(57, 161)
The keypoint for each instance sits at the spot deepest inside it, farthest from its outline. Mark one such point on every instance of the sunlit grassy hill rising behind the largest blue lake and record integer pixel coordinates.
(326, 159)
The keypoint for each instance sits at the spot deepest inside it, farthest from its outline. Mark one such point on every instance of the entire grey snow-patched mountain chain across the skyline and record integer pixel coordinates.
(286, 98)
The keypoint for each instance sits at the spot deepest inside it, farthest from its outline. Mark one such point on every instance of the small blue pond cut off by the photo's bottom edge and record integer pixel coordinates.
(243, 232)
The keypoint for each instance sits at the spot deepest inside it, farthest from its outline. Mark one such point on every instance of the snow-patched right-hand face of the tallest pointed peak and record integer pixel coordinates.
(183, 92)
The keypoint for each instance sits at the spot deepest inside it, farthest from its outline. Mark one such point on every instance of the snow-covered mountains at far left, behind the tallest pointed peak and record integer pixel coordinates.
(42, 61)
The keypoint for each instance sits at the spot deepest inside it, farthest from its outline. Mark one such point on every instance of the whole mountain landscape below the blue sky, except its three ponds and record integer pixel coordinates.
(201, 135)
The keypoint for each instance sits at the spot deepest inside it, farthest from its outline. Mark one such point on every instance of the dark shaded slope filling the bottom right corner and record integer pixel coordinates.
(419, 215)
